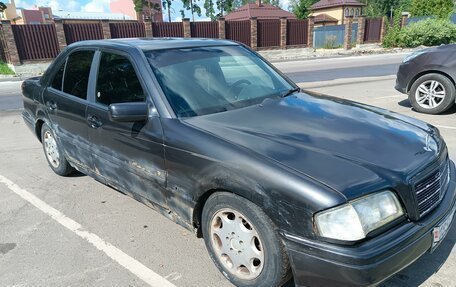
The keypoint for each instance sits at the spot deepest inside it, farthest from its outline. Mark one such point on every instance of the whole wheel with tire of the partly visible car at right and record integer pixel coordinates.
(427, 98)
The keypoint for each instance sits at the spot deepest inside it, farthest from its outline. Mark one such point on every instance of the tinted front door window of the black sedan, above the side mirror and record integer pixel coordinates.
(117, 81)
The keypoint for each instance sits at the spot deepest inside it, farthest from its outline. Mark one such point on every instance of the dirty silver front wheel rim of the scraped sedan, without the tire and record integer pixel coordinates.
(237, 244)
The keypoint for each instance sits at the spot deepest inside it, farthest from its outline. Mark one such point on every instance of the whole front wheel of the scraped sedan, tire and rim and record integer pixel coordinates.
(254, 242)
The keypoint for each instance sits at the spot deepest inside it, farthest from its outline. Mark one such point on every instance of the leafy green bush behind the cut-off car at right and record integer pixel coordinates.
(429, 32)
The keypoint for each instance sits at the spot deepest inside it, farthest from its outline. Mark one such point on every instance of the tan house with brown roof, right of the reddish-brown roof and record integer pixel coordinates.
(330, 10)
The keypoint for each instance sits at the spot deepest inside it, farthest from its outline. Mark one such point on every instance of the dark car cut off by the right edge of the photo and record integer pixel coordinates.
(428, 76)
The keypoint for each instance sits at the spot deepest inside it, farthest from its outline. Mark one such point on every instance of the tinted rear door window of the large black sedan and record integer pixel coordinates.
(77, 73)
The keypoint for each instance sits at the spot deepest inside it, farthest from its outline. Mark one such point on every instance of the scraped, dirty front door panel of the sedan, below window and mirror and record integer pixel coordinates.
(129, 156)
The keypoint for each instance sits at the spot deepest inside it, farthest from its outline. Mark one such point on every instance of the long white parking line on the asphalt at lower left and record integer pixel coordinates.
(129, 263)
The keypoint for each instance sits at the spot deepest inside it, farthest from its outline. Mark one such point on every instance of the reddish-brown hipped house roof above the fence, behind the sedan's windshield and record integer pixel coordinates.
(263, 11)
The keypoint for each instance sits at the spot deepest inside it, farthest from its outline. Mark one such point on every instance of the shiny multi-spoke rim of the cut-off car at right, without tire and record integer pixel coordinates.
(430, 94)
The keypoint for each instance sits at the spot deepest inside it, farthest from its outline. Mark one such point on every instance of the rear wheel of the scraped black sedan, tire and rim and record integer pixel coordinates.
(54, 153)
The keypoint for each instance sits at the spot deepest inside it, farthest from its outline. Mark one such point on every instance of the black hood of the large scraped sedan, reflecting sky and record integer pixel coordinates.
(350, 147)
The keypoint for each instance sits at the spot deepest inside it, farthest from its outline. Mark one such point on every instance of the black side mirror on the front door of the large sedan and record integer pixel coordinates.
(129, 112)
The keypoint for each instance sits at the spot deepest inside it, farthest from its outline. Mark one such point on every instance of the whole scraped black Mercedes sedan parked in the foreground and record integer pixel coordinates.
(280, 183)
